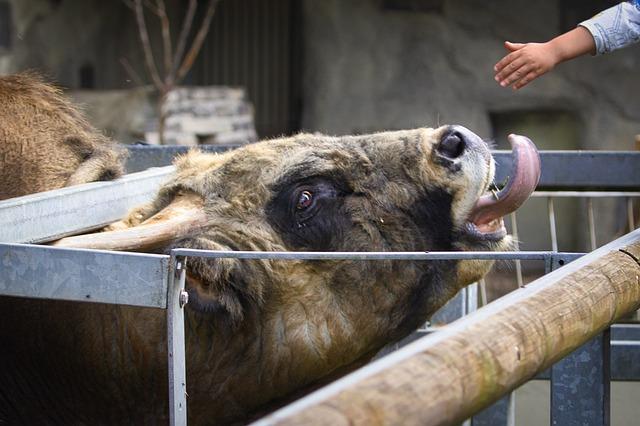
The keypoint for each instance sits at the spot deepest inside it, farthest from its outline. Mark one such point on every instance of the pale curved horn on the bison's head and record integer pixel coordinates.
(182, 216)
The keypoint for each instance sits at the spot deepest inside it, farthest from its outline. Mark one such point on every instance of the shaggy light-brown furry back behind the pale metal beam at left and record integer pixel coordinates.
(45, 143)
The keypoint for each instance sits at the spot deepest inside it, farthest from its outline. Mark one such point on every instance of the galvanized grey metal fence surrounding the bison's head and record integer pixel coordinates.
(158, 280)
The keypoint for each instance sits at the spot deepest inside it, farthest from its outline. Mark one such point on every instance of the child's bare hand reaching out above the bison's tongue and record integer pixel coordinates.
(525, 63)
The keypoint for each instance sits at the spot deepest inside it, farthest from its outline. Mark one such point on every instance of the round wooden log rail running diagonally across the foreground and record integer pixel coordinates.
(448, 376)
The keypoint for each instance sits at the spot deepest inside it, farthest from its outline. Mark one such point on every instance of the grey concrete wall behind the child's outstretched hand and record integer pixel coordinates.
(367, 69)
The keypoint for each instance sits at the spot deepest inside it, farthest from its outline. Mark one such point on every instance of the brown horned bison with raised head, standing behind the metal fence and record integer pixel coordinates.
(259, 332)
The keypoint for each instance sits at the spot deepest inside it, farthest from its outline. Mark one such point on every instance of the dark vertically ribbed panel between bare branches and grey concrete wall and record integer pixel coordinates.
(256, 44)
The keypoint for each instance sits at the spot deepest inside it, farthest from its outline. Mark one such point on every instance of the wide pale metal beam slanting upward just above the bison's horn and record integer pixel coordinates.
(54, 214)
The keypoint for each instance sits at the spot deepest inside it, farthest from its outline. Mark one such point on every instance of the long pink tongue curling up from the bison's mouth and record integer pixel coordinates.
(525, 174)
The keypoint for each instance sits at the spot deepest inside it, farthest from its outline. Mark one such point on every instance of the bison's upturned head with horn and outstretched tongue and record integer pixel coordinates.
(296, 322)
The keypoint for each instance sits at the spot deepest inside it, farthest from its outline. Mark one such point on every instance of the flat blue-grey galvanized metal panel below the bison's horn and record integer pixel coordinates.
(83, 275)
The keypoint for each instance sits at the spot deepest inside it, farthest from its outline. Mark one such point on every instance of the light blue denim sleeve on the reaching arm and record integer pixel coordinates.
(616, 27)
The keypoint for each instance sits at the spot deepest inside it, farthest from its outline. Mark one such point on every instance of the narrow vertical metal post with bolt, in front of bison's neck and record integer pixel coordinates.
(176, 299)
